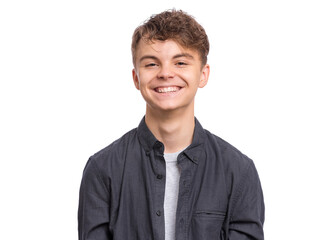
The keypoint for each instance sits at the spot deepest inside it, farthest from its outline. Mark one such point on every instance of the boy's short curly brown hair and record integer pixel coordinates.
(175, 25)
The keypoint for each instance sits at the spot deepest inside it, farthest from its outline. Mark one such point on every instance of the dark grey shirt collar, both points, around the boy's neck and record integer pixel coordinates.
(148, 140)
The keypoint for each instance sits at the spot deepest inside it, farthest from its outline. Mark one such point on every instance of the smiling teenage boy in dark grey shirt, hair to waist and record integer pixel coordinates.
(169, 178)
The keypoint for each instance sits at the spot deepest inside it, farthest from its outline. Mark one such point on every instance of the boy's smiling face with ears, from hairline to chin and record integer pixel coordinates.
(168, 75)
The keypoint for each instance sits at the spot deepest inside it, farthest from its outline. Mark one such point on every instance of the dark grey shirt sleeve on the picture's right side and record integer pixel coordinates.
(248, 213)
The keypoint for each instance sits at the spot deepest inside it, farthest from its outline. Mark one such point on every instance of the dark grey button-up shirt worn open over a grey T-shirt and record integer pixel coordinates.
(123, 186)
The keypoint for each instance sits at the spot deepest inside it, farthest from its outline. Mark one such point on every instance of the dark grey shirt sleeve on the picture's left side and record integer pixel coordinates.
(93, 211)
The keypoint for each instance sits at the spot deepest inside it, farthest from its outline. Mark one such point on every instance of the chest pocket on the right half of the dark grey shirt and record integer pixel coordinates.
(207, 225)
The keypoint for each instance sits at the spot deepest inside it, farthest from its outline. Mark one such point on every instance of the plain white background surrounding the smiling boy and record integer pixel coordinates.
(66, 92)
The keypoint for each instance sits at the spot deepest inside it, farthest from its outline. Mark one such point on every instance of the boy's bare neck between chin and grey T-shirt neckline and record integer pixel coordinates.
(174, 129)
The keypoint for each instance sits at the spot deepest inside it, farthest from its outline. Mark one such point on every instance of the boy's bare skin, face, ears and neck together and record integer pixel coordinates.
(168, 77)
